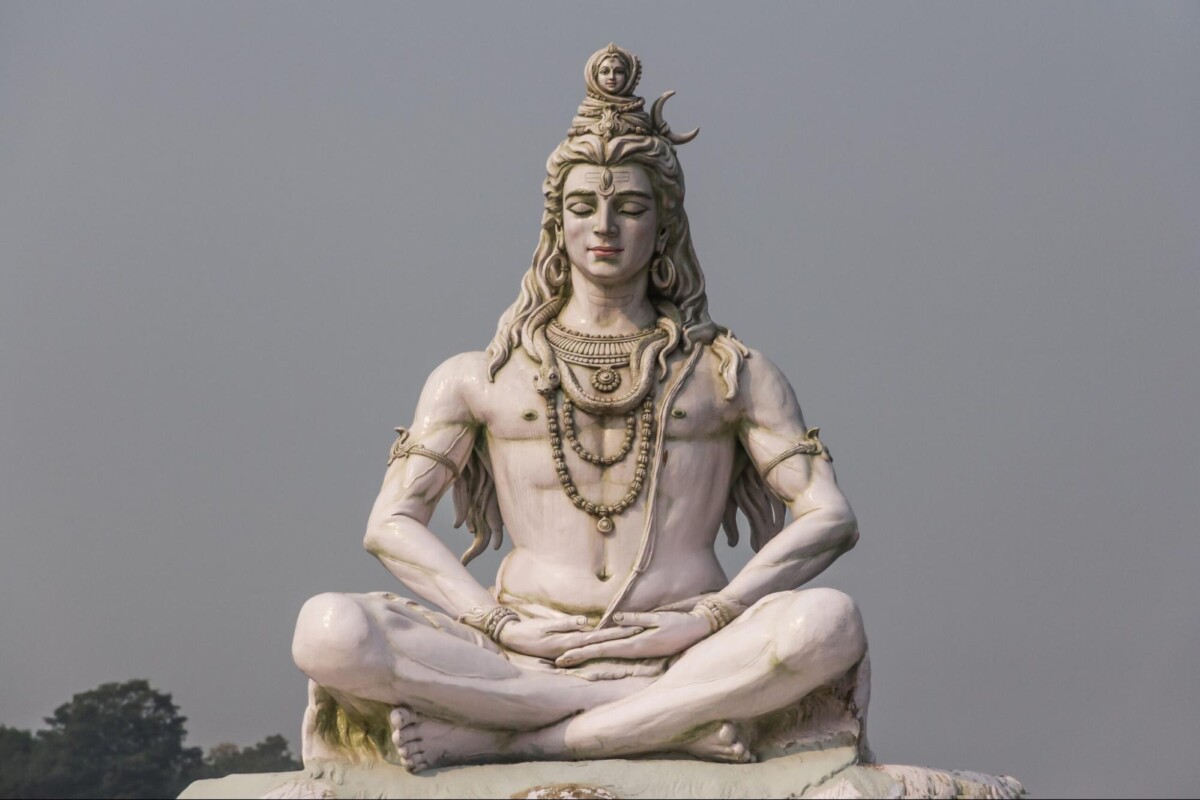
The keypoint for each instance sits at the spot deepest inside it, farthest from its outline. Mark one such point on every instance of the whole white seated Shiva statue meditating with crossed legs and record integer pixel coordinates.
(613, 429)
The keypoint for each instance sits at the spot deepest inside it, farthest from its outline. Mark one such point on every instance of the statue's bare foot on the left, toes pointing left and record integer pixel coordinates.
(423, 743)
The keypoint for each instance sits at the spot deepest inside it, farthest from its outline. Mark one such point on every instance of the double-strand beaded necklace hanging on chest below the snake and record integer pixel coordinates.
(603, 513)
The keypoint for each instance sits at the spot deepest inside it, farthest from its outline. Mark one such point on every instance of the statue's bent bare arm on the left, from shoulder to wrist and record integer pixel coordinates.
(398, 532)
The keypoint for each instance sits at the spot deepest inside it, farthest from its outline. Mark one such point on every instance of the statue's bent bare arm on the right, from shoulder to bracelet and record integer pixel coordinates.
(797, 468)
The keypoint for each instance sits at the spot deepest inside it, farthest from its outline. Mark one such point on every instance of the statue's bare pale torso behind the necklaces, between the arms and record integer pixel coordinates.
(560, 558)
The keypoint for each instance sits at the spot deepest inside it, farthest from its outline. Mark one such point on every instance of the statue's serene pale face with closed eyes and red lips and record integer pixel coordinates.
(610, 221)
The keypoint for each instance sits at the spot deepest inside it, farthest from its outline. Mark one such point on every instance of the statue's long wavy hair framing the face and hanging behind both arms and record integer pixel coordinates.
(676, 290)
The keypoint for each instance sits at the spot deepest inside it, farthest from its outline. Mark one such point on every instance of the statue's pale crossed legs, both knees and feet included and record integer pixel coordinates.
(381, 648)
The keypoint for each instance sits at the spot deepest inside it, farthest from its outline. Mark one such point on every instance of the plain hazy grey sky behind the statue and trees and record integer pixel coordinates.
(236, 238)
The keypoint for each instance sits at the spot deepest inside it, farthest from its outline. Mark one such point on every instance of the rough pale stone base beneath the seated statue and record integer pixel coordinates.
(827, 773)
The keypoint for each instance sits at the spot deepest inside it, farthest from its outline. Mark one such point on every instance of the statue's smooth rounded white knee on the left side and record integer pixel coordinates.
(332, 634)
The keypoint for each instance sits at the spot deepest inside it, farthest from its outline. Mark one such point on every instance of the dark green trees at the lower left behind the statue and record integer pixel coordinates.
(122, 741)
